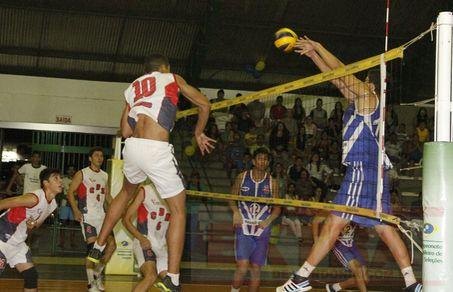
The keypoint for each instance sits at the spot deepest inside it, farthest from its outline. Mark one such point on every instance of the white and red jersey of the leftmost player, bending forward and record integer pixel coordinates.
(13, 224)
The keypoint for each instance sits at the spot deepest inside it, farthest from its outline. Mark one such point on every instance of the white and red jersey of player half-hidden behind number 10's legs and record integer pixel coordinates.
(153, 217)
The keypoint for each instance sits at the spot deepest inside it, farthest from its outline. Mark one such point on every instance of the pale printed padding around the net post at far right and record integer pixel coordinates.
(438, 216)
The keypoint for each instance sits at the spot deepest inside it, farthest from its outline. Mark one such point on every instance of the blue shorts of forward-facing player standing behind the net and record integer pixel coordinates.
(252, 248)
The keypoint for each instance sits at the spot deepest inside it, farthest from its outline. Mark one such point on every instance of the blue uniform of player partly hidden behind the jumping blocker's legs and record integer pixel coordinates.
(345, 248)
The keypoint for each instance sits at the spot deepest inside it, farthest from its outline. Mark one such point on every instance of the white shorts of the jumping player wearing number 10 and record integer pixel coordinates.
(154, 159)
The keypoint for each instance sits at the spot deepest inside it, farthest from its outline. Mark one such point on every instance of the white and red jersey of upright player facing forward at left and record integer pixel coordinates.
(91, 192)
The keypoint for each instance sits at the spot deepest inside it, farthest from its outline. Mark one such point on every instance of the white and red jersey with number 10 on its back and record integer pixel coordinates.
(154, 95)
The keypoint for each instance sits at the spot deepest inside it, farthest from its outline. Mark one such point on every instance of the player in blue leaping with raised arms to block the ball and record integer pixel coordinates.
(360, 156)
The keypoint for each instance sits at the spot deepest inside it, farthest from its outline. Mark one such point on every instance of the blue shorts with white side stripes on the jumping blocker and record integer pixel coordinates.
(358, 189)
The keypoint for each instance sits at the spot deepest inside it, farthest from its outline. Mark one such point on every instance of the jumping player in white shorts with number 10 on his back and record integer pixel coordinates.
(148, 117)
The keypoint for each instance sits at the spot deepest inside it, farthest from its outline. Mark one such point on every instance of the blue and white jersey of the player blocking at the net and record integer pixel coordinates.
(361, 138)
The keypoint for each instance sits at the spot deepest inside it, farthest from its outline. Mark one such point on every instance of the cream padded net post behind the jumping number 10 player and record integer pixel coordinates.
(122, 261)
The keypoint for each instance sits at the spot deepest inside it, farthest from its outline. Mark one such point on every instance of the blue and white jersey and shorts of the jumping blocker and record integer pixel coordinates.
(360, 156)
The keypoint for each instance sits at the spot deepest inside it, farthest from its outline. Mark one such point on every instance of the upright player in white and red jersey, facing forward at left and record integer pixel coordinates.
(90, 186)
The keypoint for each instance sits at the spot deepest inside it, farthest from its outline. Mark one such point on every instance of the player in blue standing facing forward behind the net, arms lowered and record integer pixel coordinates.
(252, 220)
